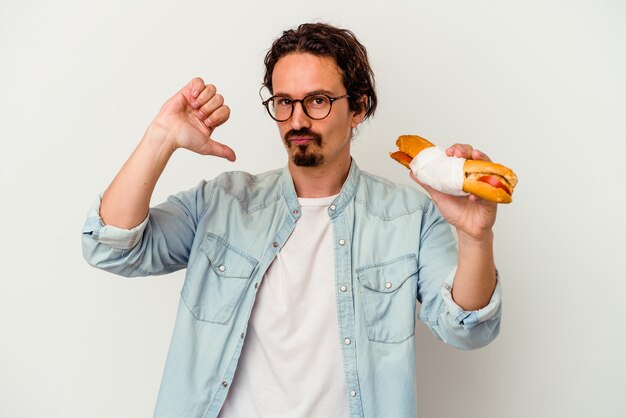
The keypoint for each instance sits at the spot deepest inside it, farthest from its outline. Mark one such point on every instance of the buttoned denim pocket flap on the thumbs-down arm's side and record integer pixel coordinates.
(226, 260)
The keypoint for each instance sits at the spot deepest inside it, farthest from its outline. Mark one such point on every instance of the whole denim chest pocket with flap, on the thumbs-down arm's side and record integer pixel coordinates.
(216, 281)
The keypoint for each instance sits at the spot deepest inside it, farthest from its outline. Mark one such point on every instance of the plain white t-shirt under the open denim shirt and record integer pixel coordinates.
(291, 363)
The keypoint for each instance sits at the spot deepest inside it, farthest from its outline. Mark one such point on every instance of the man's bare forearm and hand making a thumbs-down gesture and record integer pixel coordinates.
(187, 120)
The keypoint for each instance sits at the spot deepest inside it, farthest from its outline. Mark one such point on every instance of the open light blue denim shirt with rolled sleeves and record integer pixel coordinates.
(392, 250)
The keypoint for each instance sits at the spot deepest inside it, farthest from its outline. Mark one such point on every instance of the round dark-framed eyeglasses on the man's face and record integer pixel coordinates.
(316, 106)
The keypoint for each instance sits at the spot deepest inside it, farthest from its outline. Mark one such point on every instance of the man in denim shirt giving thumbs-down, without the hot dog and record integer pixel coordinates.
(301, 286)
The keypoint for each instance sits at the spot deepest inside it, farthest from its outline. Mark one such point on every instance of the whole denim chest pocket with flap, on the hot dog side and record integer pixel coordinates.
(388, 296)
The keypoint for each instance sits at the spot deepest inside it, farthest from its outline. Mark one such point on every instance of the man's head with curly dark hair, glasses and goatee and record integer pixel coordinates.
(322, 87)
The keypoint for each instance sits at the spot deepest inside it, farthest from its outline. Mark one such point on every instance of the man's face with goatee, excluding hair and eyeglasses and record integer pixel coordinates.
(309, 142)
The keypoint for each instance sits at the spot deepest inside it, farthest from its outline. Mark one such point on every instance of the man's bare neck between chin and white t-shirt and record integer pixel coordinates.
(319, 181)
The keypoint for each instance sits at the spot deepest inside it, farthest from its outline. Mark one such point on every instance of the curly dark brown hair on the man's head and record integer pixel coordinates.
(340, 44)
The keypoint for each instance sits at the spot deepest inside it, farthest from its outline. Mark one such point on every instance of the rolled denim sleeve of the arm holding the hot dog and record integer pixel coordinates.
(437, 267)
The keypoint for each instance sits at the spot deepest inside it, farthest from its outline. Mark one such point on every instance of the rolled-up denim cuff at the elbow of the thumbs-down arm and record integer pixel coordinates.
(110, 235)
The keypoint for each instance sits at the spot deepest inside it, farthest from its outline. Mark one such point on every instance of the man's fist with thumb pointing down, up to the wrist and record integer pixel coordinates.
(188, 119)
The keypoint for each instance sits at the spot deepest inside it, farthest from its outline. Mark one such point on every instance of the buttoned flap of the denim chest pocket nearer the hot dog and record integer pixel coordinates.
(389, 276)
